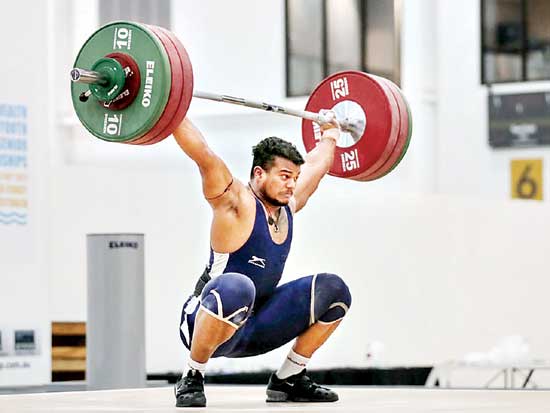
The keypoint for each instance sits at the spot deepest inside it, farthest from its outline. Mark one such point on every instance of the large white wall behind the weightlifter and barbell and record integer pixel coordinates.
(434, 253)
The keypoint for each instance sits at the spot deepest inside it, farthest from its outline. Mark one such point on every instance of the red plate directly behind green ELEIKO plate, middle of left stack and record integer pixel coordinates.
(153, 135)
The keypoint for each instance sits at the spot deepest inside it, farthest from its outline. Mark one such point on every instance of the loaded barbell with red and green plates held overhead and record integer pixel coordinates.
(133, 83)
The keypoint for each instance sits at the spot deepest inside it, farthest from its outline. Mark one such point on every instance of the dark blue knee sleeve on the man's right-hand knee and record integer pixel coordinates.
(331, 298)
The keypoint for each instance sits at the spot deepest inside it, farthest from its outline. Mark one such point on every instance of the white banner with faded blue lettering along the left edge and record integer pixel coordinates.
(25, 130)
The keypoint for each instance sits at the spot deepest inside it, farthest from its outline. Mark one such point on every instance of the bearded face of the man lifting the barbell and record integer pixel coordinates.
(278, 184)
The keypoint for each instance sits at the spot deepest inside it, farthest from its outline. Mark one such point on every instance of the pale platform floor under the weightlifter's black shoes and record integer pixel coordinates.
(251, 399)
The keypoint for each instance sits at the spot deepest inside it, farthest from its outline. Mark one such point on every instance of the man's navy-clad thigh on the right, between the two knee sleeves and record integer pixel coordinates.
(281, 318)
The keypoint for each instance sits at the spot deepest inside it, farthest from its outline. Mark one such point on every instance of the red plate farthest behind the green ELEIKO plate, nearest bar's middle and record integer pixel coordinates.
(187, 93)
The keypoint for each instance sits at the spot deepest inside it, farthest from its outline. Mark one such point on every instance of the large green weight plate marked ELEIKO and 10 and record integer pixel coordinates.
(154, 67)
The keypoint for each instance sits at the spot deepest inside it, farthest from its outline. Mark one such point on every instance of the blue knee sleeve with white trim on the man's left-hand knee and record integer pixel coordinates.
(229, 297)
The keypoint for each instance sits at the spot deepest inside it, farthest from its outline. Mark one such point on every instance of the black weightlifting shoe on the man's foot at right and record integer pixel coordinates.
(297, 388)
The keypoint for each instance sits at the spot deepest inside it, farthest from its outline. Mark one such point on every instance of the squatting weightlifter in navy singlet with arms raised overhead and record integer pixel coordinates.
(238, 309)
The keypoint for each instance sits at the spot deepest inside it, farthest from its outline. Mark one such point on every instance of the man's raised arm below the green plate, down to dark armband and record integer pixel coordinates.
(216, 177)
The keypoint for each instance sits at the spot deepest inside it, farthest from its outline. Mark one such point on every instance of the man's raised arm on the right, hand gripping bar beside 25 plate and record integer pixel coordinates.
(318, 163)
